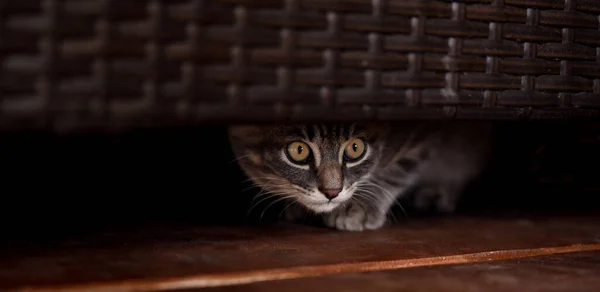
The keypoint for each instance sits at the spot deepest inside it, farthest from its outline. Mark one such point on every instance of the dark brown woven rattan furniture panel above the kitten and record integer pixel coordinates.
(74, 64)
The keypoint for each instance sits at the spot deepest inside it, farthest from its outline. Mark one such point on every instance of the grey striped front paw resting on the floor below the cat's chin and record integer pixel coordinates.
(354, 217)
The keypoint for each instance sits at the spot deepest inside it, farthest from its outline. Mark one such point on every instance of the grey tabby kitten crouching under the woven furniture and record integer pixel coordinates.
(352, 174)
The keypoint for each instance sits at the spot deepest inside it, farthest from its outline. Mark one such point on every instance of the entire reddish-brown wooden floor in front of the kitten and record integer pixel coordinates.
(468, 253)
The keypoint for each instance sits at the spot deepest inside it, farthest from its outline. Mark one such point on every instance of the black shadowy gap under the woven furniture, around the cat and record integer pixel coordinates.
(59, 186)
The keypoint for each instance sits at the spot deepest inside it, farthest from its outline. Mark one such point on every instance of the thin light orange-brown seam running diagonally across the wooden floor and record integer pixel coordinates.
(247, 277)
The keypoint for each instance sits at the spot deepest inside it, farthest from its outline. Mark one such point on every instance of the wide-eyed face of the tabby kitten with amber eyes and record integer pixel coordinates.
(319, 166)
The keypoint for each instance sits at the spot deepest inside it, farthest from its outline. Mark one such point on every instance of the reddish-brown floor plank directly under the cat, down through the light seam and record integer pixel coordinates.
(163, 258)
